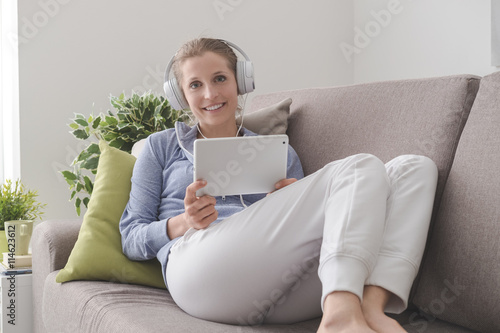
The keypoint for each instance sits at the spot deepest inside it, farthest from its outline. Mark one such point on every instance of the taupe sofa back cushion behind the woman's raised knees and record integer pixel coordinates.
(387, 119)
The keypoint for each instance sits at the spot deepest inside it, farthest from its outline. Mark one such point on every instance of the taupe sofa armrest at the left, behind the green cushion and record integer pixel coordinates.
(51, 245)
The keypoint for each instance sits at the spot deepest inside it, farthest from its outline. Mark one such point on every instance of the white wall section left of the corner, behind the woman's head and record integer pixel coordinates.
(74, 53)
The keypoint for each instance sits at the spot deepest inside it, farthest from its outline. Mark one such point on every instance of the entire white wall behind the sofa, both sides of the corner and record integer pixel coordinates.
(74, 53)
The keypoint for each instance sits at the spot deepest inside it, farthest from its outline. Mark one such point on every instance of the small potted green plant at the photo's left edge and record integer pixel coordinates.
(16, 203)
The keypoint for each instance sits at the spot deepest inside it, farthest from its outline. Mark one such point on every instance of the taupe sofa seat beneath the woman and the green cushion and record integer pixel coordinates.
(107, 307)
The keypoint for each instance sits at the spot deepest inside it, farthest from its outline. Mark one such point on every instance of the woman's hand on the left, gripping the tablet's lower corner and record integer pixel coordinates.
(199, 212)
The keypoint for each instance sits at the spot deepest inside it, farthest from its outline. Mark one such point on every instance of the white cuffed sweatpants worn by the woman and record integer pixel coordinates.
(353, 223)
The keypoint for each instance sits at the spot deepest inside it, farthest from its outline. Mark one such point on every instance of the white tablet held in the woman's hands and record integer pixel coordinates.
(240, 165)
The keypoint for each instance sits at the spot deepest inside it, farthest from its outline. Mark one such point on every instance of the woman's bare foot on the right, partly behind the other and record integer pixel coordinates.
(374, 300)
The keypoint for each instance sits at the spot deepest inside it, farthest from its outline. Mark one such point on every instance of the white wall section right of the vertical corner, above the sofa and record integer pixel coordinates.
(422, 38)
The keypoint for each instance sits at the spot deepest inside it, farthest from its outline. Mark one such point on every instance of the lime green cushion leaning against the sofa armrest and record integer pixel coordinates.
(97, 254)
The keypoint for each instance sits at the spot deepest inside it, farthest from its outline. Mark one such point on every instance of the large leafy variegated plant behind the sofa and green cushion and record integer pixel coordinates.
(134, 119)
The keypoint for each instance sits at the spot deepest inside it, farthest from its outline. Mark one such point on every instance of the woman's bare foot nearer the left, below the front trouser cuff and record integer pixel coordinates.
(342, 313)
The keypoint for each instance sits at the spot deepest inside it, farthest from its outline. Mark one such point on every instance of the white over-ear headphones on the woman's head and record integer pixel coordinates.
(244, 79)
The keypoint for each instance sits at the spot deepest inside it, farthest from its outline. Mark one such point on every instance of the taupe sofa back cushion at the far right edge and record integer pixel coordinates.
(460, 280)
